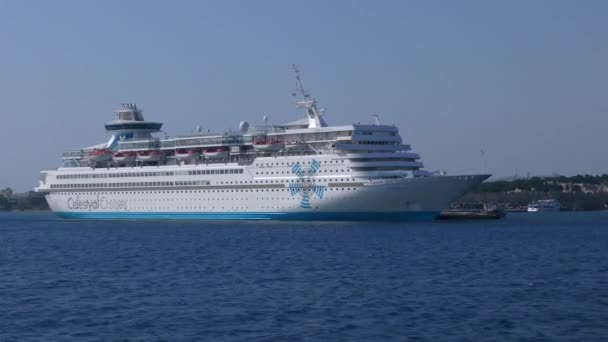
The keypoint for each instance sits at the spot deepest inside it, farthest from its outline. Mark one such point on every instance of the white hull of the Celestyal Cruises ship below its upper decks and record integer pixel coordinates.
(343, 198)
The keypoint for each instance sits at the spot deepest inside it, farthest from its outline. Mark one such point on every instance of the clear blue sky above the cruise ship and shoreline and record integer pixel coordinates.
(526, 81)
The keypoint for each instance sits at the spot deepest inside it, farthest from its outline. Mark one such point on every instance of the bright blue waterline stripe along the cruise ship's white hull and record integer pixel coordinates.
(298, 216)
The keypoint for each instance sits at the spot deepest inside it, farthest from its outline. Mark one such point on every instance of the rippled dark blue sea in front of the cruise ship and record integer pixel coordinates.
(528, 276)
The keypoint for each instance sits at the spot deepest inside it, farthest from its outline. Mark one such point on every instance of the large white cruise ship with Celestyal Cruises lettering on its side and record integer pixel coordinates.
(302, 170)
